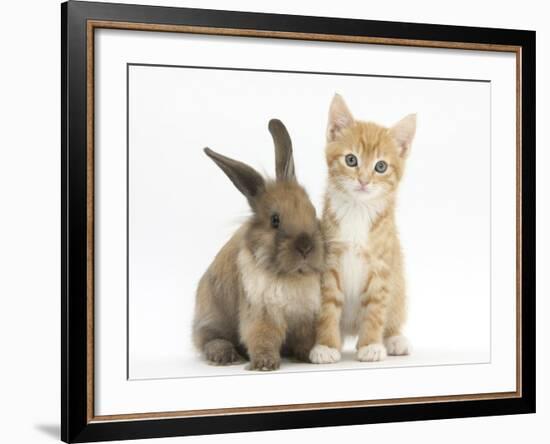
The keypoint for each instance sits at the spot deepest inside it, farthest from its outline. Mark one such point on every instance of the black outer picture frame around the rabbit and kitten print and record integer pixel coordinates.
(76, 424)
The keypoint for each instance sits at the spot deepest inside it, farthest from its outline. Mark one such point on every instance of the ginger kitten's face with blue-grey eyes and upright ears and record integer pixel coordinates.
(365, 160)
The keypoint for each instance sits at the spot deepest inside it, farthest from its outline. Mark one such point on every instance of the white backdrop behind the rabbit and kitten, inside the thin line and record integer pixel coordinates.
(183, 208)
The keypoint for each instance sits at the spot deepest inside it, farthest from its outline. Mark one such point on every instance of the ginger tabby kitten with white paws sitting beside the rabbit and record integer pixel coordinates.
(363, 288)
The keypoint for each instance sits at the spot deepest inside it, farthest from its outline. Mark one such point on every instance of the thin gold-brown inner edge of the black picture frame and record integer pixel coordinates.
(106, 24)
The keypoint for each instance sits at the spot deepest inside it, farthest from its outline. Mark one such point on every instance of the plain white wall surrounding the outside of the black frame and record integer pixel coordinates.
(30, 208)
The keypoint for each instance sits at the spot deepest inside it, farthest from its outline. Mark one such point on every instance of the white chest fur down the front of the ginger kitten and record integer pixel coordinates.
(354, 222)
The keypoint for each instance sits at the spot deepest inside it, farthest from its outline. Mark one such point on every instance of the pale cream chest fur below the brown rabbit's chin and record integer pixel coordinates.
(292, 297)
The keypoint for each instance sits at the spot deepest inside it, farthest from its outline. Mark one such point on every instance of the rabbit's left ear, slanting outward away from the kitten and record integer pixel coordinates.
(247, 180)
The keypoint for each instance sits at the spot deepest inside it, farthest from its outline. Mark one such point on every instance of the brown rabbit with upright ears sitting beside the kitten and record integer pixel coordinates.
(260, 297)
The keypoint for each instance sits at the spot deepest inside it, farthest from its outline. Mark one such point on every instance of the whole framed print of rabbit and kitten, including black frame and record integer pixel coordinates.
(275, 221)
